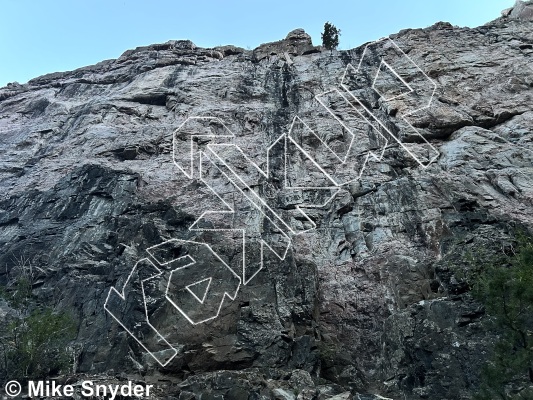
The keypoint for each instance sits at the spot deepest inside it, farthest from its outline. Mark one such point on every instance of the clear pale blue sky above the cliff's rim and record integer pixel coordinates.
(38, 37)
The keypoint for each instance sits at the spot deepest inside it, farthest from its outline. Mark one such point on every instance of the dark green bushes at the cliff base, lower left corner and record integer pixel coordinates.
(34, 343)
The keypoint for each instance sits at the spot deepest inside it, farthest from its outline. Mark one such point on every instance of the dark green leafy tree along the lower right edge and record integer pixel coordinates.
(505, 288)
